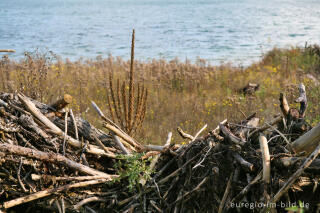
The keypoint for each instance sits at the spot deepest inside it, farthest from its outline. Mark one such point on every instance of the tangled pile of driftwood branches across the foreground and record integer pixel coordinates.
(52, 160)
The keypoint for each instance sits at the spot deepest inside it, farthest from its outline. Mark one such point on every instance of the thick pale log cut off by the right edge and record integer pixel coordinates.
(307, 142)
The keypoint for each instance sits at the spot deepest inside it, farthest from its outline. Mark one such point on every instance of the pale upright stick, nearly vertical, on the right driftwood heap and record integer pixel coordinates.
(265, 158)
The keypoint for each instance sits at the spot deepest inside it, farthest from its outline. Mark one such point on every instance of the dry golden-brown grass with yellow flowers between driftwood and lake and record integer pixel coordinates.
(180, 93)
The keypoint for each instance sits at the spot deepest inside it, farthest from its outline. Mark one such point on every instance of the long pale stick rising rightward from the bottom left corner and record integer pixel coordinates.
(48, 192)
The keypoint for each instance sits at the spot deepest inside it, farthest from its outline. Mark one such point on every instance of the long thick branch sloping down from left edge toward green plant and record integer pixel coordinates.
(50, 157)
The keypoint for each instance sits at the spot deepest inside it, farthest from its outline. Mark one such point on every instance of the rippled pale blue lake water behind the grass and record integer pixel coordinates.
(239, 31)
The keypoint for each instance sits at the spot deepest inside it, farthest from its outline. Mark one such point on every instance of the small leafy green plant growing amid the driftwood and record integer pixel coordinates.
(135, 168)
